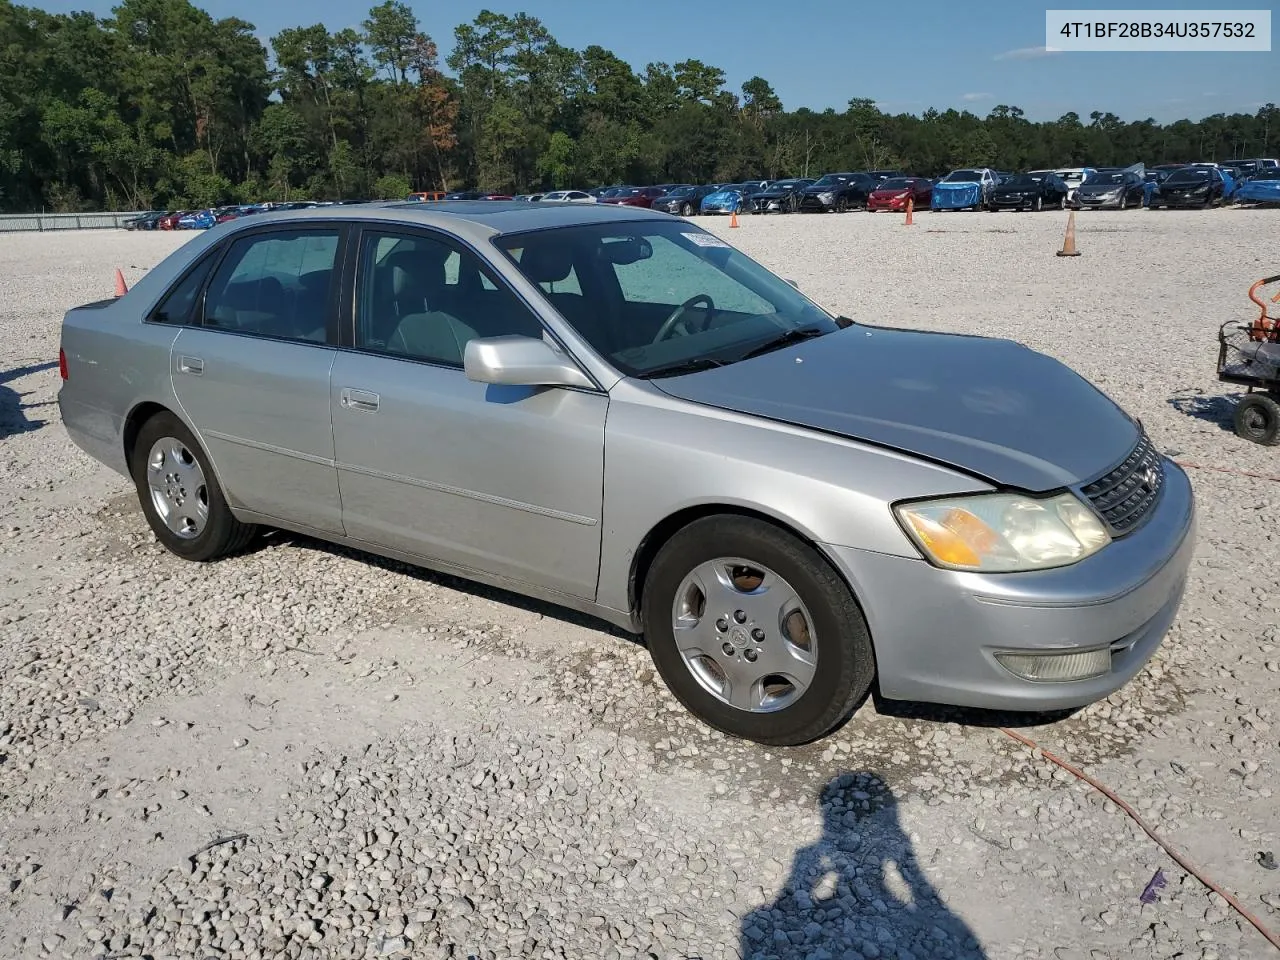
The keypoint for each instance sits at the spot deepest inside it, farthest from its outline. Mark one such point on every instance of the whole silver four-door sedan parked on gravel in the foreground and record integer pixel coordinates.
(620, 413)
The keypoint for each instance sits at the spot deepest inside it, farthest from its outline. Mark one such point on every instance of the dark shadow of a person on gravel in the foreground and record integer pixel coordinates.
(860, 892)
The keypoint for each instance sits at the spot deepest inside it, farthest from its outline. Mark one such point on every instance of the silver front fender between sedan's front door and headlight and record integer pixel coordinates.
(665, 456)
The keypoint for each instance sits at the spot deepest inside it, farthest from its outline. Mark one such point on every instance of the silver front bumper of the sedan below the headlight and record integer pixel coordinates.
(938, 633)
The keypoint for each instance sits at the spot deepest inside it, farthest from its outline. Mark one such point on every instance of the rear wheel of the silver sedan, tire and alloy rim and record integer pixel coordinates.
(180, 495)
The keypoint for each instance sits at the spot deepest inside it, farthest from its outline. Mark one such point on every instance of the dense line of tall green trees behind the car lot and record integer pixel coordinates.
(161, 106)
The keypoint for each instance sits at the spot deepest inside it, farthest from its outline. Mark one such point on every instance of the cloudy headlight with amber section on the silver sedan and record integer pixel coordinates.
(1004, 533)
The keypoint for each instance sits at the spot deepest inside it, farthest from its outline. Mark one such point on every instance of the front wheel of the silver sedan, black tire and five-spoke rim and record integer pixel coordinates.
(755, 632)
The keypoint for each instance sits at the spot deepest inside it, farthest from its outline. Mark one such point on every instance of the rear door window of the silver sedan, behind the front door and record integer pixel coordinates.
(276, 285)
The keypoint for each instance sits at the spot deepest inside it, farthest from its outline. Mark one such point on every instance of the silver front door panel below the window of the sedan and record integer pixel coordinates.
(463, 472)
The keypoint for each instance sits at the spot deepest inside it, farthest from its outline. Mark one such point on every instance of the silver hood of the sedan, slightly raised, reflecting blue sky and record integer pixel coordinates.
(991, 408)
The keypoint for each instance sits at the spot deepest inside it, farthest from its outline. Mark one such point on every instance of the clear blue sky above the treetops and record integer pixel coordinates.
(820, 53)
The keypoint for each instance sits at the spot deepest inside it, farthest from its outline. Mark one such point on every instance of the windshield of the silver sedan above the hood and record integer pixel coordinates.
(659, 298)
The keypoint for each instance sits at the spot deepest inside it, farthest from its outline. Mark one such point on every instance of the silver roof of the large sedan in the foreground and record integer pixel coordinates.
(476, 220)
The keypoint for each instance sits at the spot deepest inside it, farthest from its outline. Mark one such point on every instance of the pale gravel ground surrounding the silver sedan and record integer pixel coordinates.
(307, 752)
